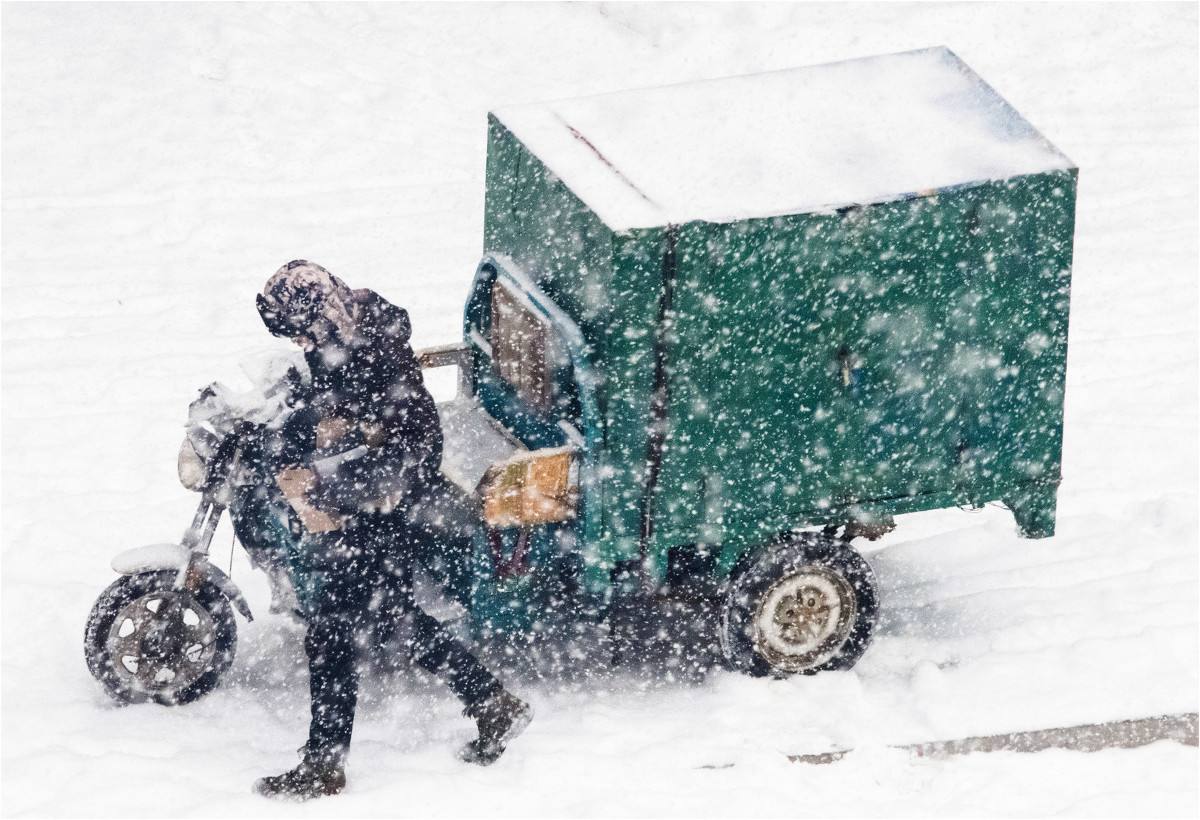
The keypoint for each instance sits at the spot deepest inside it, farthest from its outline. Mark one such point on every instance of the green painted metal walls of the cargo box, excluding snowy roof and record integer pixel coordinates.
(821, 368)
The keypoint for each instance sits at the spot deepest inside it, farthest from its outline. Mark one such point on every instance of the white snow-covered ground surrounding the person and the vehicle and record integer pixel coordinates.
(160, 161)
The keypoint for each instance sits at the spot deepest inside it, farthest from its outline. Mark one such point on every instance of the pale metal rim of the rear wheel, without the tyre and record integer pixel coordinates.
(803, 619)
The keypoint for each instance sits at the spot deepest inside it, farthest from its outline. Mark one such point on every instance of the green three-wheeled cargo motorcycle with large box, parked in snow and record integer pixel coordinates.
(694, 368)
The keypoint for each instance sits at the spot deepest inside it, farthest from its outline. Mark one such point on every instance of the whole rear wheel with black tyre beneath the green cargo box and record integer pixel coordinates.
(805, 604)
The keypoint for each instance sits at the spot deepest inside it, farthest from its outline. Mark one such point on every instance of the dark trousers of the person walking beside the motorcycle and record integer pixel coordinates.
(367, 577)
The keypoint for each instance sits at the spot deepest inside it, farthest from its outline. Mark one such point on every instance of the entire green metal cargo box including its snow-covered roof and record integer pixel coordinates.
(812, 297)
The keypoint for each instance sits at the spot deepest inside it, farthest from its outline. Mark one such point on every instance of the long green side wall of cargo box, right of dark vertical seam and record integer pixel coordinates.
(878, 361)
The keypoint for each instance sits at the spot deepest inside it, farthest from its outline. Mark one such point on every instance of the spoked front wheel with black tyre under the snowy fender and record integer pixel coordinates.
(147, 642)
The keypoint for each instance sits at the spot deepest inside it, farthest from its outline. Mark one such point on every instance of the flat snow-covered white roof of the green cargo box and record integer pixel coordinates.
(784, 142)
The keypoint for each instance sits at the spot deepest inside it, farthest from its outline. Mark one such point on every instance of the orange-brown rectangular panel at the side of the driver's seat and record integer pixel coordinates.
(532, 488)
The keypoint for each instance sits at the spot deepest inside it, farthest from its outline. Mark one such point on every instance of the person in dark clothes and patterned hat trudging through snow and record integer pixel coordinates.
(363, 450)
